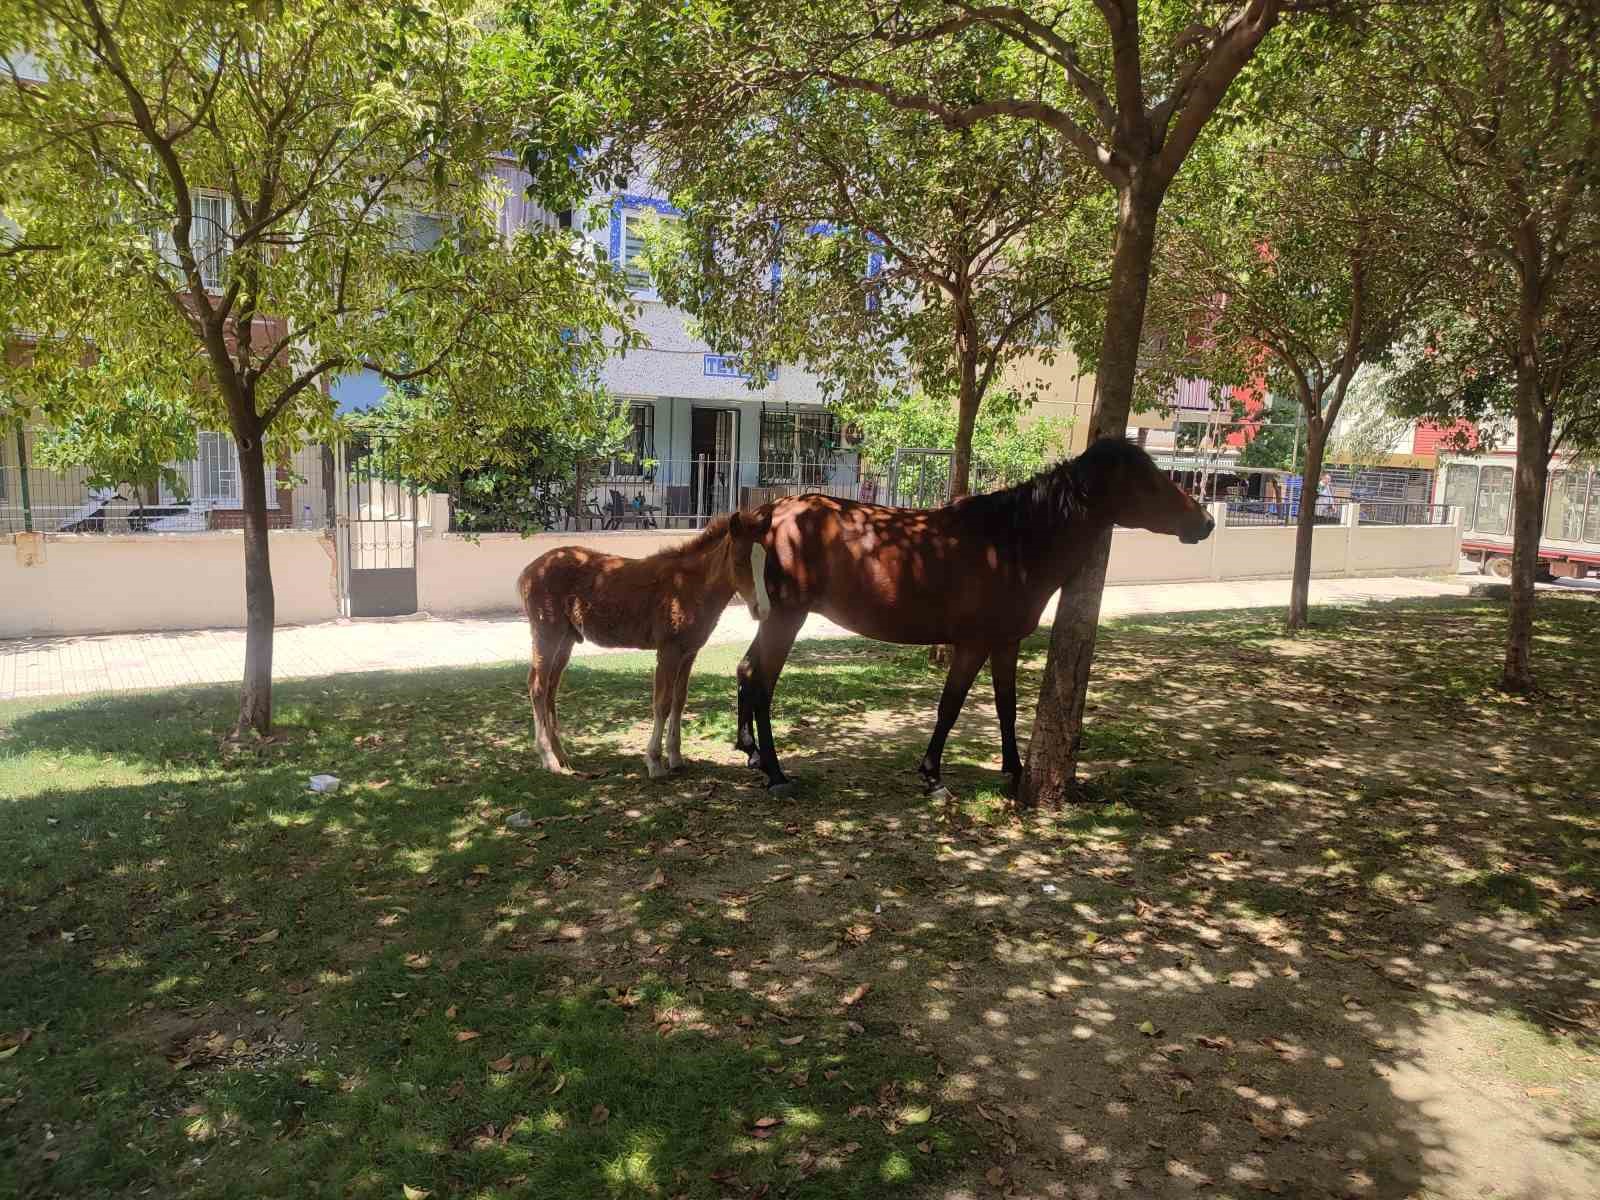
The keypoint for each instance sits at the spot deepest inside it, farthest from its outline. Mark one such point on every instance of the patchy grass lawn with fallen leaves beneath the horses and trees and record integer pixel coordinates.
(1329, 929)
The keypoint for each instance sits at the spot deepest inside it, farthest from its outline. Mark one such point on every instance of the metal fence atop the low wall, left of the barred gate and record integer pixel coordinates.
(204, 497)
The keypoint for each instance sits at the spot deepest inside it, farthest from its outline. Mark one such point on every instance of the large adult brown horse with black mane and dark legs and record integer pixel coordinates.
(974, 575)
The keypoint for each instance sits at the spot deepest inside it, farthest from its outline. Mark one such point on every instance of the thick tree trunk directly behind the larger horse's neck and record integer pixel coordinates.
(1052, 764)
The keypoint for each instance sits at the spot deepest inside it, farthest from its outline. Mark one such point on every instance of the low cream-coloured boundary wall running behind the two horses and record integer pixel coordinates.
(94, 585)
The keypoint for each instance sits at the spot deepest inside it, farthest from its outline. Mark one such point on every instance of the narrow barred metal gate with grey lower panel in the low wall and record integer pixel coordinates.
(377, 529)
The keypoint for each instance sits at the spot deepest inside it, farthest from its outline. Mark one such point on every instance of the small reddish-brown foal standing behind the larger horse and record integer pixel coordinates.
(668, 602)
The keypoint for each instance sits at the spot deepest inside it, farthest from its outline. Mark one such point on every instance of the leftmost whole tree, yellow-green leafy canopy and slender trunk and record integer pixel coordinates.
(236, 204)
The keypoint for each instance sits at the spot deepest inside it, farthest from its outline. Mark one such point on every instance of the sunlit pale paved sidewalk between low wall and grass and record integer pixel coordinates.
(63, 666)
